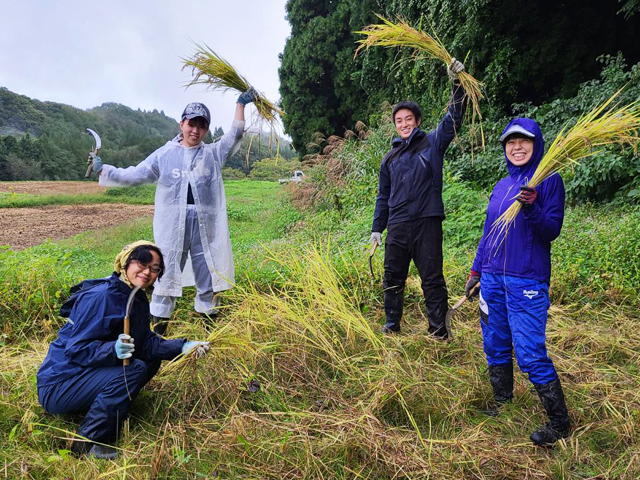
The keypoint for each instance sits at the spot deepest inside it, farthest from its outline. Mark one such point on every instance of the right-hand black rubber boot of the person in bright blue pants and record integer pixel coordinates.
(559, 425)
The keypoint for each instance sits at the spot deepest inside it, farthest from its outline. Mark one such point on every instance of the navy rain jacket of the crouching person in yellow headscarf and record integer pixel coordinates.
(95, 315)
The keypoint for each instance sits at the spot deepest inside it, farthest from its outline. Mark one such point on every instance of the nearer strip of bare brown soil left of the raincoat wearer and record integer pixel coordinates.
(25, 227)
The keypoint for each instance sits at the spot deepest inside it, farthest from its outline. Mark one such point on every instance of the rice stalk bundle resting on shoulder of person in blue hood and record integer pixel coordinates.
(598, 128)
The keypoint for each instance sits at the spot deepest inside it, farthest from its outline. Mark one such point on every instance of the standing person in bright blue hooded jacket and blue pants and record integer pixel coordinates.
(515, 270)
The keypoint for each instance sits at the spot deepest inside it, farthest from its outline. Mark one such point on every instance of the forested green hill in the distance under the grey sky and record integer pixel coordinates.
(48, 140)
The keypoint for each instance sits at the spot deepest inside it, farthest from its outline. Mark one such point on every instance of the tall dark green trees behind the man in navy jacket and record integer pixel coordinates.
(524, 52)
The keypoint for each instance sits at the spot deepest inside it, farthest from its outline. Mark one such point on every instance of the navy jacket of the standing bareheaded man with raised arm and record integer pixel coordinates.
(410, 185)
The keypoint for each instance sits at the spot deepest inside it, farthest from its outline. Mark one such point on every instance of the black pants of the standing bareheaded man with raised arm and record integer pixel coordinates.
(420, 240)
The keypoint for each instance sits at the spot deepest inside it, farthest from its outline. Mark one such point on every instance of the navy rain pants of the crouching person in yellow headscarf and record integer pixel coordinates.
(102, 394)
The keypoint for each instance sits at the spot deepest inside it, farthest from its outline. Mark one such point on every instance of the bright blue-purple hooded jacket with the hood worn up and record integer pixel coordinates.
(525, 251)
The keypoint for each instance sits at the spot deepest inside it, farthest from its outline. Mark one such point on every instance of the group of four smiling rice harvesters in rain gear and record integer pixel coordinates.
(84, 369)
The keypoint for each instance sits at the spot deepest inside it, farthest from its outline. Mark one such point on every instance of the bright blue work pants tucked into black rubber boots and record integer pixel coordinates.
(517, 317)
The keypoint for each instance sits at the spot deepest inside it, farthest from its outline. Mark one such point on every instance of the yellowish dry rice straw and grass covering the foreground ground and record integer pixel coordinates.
(300, 384)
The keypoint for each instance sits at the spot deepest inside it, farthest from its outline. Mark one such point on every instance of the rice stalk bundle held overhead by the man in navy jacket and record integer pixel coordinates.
(401, 34)
